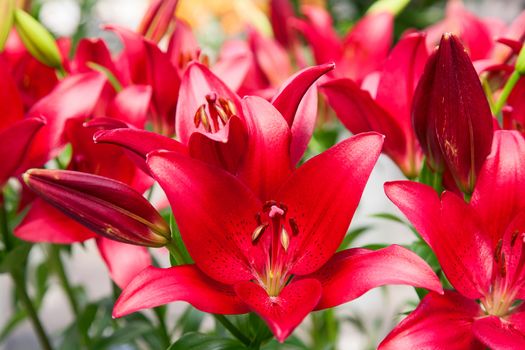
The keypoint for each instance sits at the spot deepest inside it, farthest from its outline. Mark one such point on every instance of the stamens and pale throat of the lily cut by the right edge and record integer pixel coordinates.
(506, 284)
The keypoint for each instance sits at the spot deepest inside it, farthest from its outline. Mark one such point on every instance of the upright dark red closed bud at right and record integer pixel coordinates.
(451, 114)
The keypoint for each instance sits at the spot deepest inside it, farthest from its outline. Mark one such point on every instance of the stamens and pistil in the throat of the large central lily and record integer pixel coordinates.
(273, 220)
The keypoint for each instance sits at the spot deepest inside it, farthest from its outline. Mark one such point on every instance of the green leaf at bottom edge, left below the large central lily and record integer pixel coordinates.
(200, 341)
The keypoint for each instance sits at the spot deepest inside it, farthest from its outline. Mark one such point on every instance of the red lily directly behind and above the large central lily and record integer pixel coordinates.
(219, 128)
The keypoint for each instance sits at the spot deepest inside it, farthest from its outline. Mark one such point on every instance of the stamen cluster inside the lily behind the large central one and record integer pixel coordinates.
(215, 113)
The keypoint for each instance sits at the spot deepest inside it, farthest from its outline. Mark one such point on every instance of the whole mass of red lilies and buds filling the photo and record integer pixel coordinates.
(257, 227)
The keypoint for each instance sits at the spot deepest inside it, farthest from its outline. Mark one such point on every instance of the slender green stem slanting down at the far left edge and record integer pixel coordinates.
(20, 285)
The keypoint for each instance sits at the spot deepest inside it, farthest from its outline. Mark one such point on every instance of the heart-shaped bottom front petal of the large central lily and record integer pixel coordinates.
(286, 311)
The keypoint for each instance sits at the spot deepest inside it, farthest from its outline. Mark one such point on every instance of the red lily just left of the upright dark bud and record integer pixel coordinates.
(362, 111)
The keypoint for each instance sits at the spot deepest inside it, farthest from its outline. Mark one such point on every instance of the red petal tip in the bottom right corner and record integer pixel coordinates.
(497, 333)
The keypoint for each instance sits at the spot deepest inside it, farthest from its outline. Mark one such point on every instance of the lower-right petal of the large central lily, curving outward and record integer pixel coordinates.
(353, 272)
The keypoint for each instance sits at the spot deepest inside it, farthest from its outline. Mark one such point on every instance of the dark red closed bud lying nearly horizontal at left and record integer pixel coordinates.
(107, 207)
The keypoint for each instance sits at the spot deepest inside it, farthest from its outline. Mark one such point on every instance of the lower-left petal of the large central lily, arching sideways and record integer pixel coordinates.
(154, 287)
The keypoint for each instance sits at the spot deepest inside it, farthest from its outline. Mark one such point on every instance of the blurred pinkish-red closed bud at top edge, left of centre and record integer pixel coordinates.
(158, 19)
